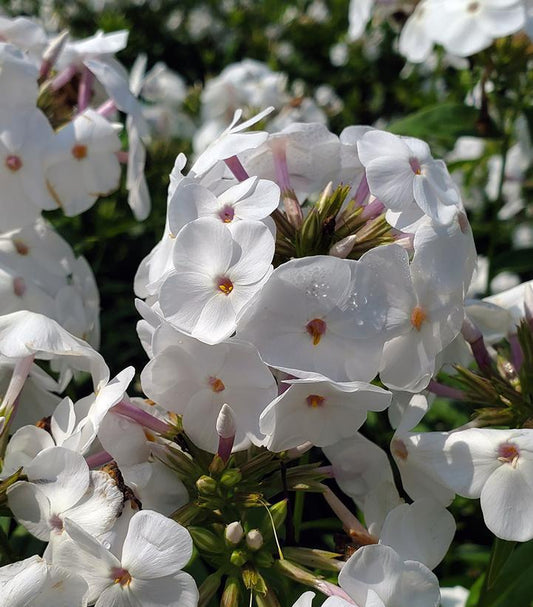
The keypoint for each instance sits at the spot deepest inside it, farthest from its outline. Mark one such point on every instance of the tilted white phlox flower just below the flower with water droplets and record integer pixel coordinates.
(320, 412)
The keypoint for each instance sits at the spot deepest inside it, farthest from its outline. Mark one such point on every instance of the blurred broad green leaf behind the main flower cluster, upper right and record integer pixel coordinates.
(442, 123)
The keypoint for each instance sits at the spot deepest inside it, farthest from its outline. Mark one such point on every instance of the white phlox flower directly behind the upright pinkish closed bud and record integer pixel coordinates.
(195, 379)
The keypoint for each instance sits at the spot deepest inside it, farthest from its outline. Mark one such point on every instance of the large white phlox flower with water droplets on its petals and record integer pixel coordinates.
(321, 315)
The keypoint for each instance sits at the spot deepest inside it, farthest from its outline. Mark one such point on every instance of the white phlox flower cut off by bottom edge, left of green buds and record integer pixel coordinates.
(148, 572)
